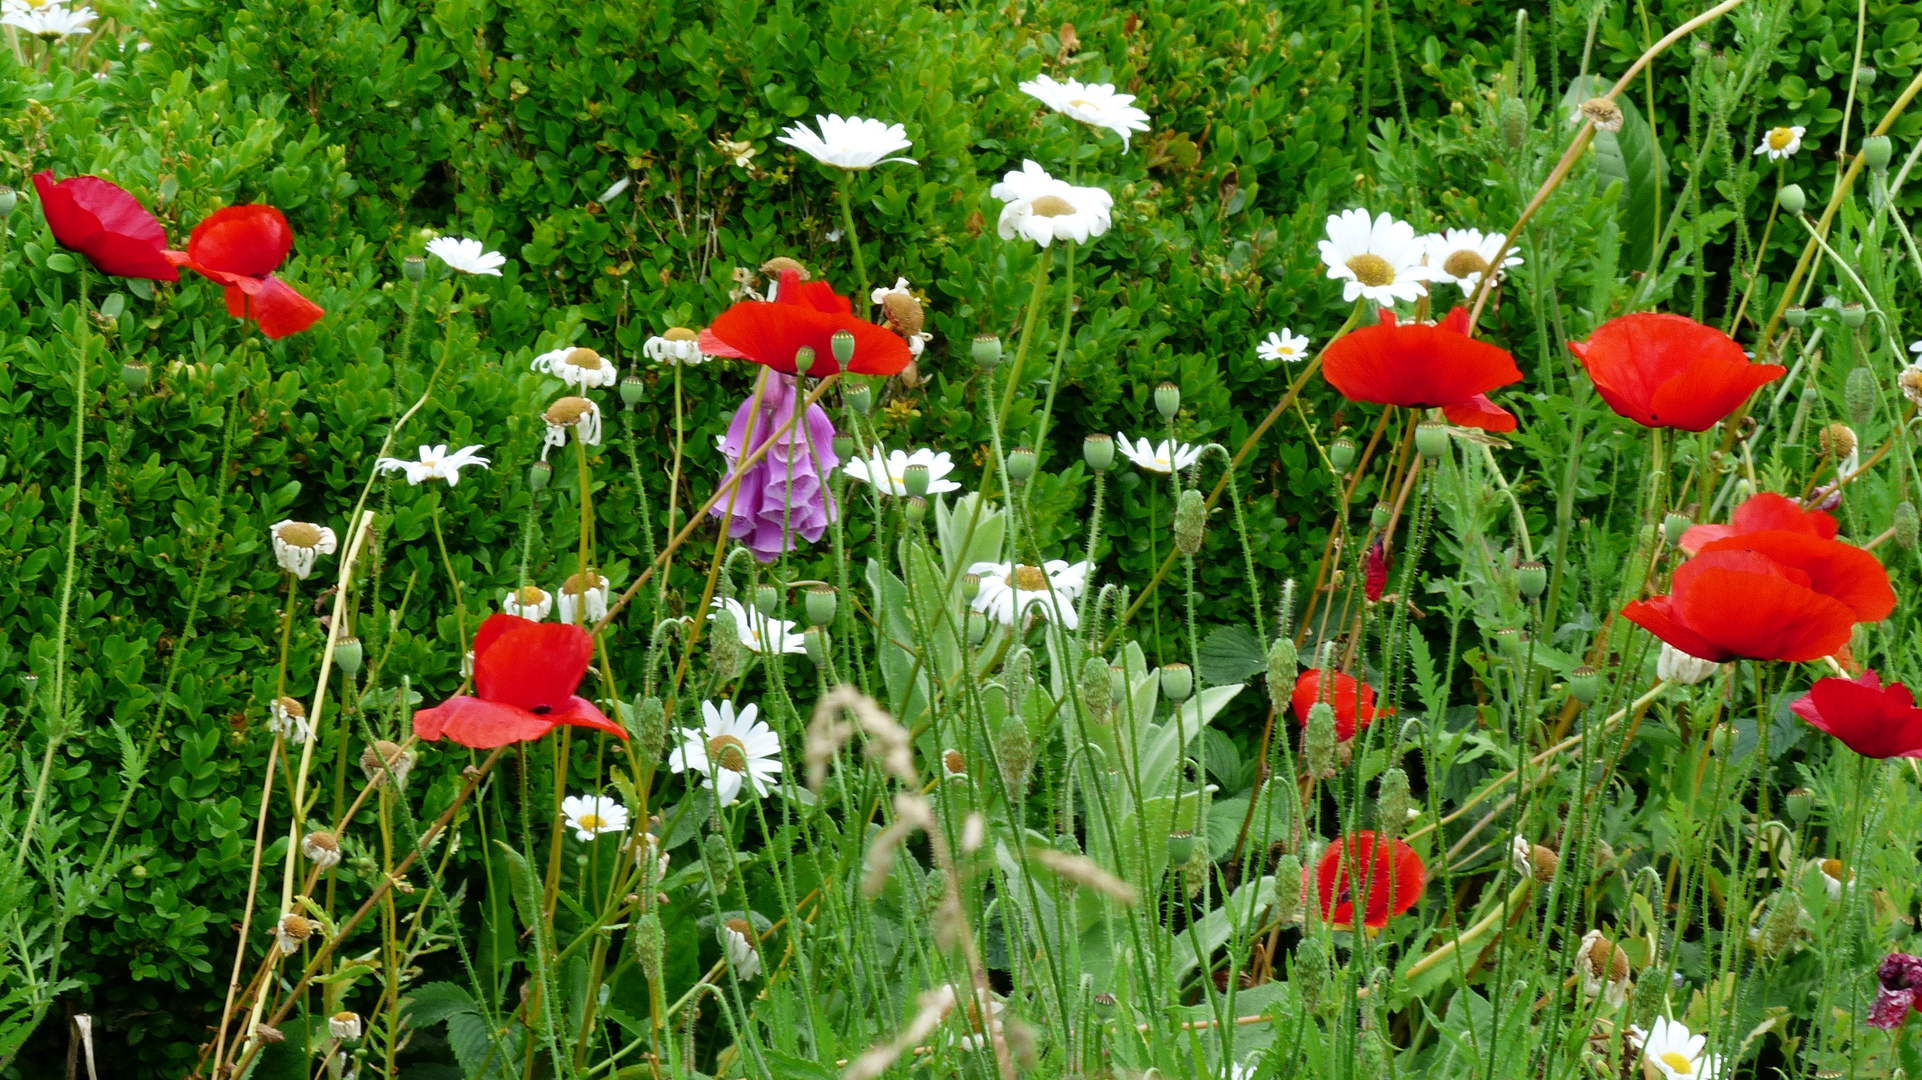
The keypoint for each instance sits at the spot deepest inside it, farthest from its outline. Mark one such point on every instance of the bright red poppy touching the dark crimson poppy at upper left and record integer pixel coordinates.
(241, 247)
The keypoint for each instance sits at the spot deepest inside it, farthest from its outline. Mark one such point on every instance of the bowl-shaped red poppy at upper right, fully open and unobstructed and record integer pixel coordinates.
(1669, 372)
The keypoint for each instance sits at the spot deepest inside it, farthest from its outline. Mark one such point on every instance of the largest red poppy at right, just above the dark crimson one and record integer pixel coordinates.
(1769, 595)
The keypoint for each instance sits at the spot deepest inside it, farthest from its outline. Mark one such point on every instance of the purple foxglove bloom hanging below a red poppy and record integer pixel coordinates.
(785, 495)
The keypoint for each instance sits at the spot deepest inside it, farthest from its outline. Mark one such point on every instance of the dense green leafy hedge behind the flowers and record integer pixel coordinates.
(370, 124)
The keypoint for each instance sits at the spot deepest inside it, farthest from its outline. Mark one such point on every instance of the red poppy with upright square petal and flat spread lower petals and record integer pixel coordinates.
(526, 677)
